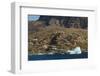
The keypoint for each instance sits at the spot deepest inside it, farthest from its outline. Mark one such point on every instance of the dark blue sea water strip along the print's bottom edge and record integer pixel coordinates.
(57, 56)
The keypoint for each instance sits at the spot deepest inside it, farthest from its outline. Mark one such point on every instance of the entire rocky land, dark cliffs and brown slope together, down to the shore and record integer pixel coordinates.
(55, 34)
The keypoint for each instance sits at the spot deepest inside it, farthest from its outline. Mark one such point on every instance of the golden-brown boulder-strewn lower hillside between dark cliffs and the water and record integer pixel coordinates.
(63, 39)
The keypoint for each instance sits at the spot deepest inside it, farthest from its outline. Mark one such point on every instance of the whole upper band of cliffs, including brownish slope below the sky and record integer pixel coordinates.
(68, 22)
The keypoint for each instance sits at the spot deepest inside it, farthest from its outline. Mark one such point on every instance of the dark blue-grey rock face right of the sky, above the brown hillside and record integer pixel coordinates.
(75, 22)
